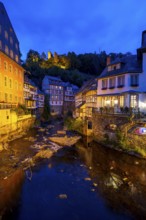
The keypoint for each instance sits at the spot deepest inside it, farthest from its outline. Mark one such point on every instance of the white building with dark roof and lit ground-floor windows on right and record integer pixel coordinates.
(123, 82)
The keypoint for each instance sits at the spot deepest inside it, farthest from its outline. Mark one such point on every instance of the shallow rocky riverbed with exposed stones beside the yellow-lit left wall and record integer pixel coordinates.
(39, 143)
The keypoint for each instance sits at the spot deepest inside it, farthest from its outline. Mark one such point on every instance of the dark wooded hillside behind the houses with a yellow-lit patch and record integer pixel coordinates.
(70, 67)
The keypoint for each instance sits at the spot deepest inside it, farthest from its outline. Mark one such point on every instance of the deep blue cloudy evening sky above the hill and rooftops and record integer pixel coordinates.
(82, 26)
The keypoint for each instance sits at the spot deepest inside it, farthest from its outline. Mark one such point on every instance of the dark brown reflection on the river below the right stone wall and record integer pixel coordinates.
(120, 178)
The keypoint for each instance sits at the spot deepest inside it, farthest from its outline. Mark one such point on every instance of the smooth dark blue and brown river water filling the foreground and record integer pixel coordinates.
(83, 182)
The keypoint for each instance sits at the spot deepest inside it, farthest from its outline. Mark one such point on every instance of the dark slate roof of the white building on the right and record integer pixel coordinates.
(129, 64)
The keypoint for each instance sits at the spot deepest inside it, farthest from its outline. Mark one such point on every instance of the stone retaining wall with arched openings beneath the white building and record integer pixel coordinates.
(103, 133)
